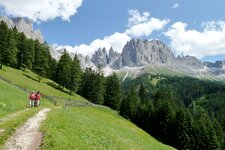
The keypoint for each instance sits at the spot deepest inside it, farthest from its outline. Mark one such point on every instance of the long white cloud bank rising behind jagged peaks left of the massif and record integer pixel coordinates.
(116, 40)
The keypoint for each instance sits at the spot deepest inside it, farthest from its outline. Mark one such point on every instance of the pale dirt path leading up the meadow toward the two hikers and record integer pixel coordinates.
(28, 137)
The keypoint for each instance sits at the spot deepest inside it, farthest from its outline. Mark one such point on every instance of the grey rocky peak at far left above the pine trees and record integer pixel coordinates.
(23, 25)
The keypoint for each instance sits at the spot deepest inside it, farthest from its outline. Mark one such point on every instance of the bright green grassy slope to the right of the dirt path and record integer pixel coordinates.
(94, 128)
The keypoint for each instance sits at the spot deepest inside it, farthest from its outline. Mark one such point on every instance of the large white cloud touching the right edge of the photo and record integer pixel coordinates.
(209, 42)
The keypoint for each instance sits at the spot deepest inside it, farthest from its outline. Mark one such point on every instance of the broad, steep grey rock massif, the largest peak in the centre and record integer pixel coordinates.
(138, 52)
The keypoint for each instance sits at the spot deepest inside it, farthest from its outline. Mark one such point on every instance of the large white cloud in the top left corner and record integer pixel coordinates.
(41, 10)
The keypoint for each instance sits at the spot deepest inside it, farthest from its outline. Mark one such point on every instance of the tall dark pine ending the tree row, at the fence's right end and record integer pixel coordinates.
(112, 92)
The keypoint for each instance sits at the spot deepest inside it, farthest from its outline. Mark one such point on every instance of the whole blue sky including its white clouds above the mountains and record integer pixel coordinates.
(193, 27)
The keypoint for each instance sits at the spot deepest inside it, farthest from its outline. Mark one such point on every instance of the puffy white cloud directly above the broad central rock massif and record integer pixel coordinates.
(141, 25)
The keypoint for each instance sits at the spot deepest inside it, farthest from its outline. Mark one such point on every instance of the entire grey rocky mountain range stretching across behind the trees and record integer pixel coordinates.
(138, 56)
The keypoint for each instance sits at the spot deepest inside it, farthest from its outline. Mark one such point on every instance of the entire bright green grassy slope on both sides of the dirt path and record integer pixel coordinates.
(76, 128)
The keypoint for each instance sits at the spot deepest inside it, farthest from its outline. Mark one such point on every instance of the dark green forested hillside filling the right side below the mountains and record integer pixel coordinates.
(184, 112)
